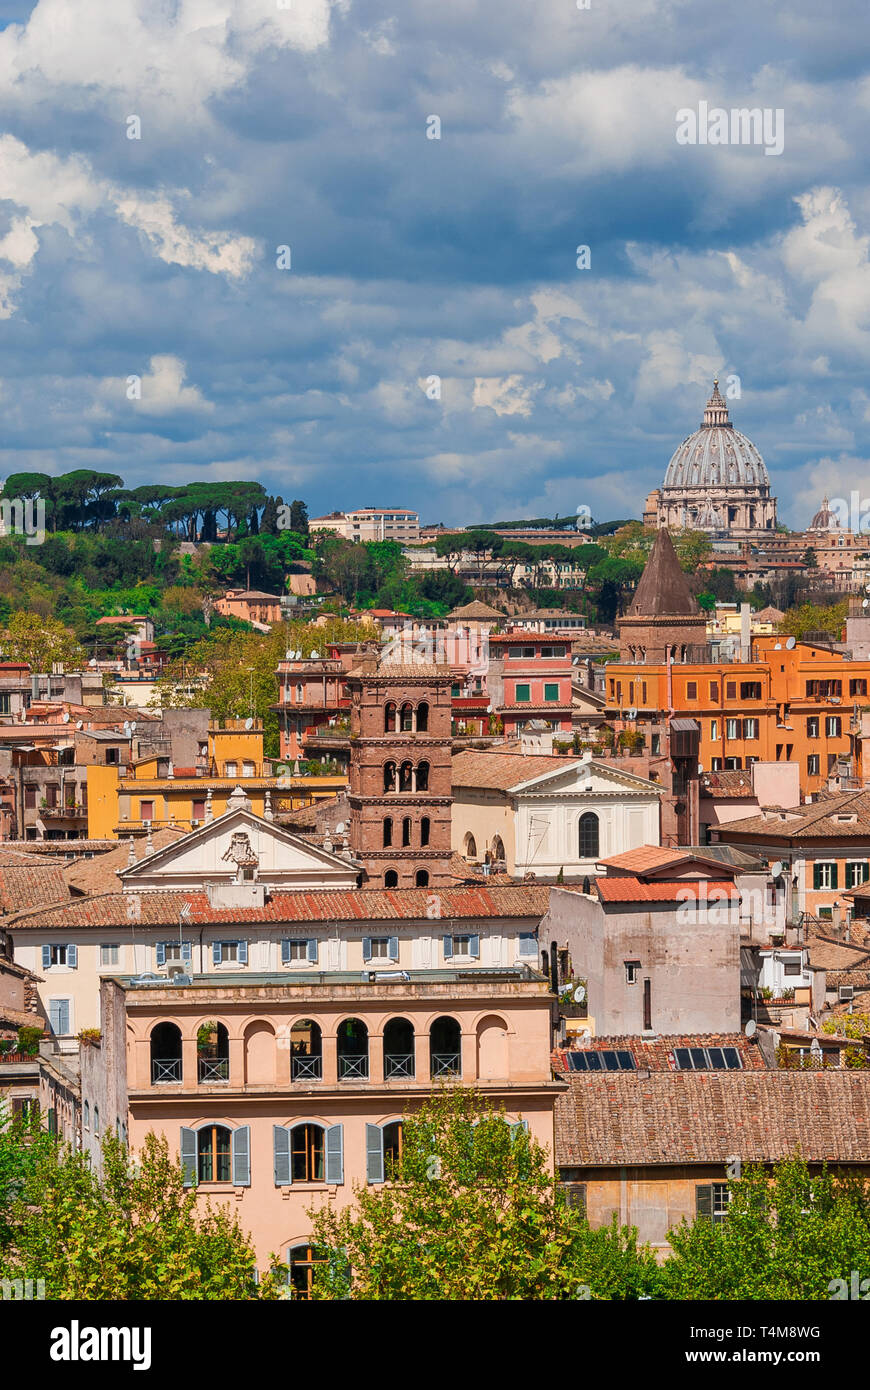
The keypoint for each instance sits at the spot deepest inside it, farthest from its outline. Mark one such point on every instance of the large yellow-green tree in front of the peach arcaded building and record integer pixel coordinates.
(470, 1211)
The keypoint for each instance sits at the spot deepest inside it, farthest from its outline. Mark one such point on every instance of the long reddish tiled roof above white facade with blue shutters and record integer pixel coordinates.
(322, 906)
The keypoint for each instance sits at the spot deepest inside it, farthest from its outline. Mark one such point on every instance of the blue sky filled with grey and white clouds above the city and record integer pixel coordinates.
(302, 124)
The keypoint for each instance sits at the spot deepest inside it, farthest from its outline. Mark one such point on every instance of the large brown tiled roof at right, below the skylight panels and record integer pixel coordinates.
(618, 1120)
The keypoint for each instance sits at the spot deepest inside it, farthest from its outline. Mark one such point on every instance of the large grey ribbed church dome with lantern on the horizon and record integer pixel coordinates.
(716, 482)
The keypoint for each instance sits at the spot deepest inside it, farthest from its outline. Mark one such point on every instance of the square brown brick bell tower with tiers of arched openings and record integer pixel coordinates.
(401, 787)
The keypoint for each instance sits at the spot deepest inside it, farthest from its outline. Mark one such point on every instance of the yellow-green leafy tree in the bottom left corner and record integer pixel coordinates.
(137, 1234)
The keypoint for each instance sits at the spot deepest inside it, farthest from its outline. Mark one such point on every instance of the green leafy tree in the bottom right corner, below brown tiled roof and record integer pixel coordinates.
(786, 1235)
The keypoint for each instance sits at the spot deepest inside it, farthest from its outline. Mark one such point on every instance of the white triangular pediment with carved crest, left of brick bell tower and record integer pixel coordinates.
(236, 846)
